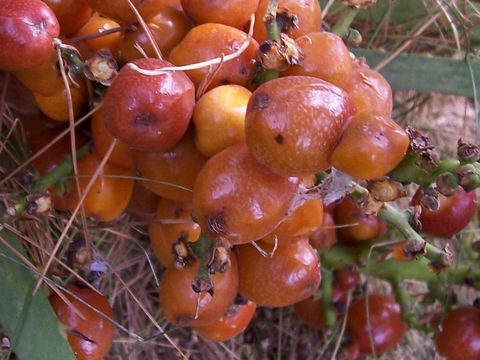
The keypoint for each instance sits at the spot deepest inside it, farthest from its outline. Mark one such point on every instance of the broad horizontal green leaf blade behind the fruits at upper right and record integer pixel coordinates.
(425, 74)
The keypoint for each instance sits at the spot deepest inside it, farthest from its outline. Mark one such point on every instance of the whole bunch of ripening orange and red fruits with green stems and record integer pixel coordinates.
(243, 141)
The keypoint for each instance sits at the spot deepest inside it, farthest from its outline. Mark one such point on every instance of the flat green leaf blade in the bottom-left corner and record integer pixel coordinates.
(29, 321)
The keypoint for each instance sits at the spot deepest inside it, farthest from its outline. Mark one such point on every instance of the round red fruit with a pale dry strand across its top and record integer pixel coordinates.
(149, 113)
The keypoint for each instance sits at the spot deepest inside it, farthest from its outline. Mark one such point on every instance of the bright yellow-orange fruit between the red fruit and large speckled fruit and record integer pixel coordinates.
(219, 118)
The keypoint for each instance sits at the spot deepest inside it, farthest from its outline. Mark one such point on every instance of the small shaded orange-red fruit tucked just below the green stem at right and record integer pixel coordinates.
(362, 227)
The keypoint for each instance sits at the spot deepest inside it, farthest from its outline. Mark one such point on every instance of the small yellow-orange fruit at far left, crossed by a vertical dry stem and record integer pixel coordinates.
(56, 106)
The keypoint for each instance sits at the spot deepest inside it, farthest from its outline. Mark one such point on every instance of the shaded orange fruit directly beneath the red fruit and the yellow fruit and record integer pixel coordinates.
(171, 174)
